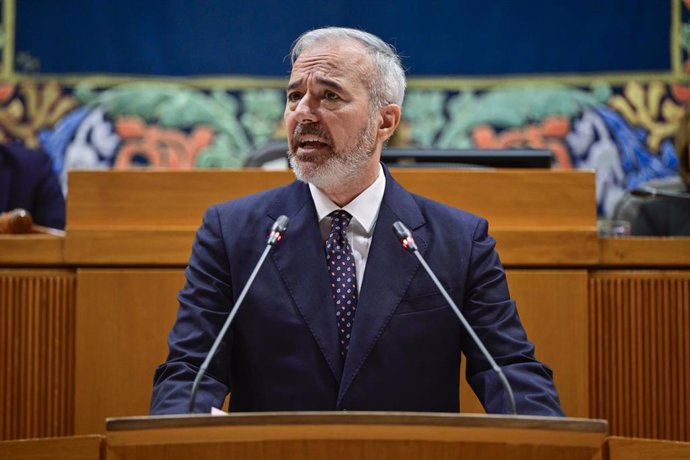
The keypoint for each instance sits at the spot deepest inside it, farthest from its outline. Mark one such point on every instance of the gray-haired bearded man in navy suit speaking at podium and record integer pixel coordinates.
(309, 336)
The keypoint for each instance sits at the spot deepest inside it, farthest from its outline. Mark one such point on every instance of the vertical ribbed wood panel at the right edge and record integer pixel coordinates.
(640, 353)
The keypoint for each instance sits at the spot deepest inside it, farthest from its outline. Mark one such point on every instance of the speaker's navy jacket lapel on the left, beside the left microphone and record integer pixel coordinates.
(301, 262)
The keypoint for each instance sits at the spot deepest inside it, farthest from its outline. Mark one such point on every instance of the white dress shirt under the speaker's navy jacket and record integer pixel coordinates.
(364, 210)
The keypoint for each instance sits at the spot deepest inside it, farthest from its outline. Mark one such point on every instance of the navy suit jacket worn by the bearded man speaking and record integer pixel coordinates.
(281, 352)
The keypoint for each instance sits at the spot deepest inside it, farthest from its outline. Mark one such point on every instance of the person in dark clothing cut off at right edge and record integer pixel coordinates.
(664, 216)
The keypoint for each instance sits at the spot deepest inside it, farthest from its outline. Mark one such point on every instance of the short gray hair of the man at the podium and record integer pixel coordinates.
(388, 84)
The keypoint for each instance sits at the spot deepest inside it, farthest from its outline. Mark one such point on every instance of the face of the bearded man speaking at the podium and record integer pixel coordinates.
(332, 133)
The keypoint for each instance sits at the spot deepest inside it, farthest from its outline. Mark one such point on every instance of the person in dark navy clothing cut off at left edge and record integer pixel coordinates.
(27, 181)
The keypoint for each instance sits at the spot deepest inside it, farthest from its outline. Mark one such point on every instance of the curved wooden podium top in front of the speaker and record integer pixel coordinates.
(353, 436)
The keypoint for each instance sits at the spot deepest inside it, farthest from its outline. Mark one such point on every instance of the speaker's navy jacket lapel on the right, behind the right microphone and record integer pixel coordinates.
(388, 274)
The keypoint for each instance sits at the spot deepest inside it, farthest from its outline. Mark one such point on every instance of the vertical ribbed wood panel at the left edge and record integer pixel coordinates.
(37, 314)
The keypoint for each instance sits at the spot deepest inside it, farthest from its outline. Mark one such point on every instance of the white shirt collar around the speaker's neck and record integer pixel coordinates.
(364, 208)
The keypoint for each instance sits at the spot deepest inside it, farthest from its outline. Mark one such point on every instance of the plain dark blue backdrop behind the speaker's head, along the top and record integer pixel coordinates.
(451, 37)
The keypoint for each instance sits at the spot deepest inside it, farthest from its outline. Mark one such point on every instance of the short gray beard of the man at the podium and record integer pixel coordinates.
(341, 167)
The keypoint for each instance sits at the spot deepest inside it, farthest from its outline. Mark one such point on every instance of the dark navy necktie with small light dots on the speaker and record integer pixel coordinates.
(341, 269)
